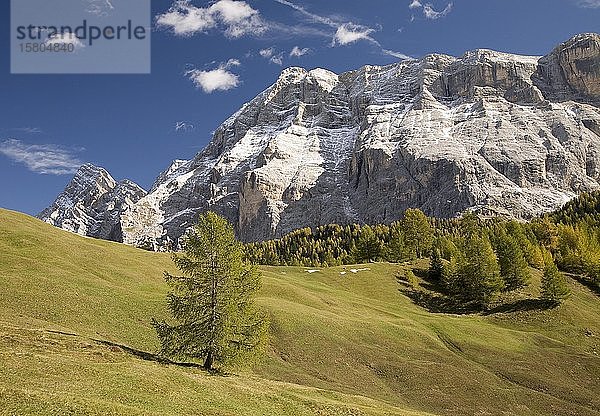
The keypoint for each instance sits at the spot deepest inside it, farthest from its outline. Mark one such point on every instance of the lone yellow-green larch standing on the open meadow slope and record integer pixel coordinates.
(211, 303)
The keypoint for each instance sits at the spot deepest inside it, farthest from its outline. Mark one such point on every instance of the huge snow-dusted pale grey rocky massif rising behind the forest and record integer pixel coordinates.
(491, 132)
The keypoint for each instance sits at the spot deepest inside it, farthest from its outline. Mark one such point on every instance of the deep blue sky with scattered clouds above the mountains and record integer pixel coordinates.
(208, 58)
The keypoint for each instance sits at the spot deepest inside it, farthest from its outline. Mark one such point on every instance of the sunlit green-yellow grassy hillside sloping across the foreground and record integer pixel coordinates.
(343, 343)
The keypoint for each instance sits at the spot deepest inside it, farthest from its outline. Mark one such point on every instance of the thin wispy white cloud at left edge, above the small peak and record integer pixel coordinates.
(48, 159)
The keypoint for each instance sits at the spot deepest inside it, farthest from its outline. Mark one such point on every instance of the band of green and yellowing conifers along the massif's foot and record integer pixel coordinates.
(474, 259)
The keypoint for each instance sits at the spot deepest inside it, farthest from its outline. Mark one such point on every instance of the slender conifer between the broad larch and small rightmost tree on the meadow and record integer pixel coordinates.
(513, 267)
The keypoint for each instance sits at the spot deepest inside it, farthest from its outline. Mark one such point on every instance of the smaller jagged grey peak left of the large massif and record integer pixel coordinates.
(92, 204)
